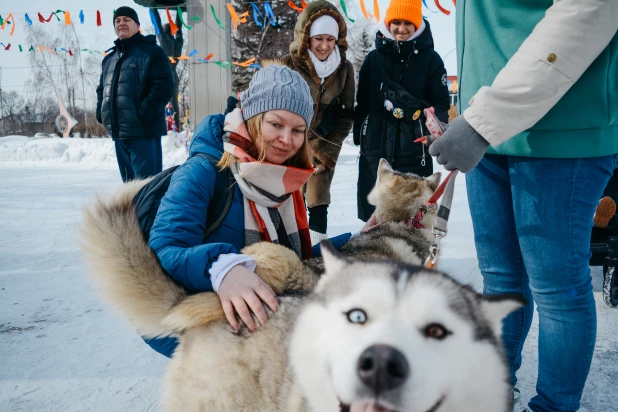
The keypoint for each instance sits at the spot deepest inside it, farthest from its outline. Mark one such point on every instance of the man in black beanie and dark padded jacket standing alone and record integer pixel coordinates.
(136, 84)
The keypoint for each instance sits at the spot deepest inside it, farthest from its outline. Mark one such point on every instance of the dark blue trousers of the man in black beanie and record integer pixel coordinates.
(139, 158)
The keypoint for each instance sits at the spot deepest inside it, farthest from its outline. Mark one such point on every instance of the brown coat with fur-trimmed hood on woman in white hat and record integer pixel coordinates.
(333, 100)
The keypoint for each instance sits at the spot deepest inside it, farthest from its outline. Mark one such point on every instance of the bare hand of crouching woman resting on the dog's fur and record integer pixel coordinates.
(243, 292)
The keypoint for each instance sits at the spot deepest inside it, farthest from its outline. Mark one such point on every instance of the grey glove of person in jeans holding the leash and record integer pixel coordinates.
(460, 147)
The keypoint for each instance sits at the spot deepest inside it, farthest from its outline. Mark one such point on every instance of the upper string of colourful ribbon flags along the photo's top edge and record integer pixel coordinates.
(259, 17)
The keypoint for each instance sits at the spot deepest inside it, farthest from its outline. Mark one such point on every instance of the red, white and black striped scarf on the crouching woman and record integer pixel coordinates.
(267, 188)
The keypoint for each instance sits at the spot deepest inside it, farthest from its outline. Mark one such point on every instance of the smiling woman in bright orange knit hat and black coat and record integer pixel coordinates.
(397, 80)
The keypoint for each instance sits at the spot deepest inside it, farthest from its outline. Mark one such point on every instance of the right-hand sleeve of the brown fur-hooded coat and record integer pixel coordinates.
(328, 151)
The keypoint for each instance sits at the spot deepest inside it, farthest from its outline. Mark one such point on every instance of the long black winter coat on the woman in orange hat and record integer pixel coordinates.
(418, 69)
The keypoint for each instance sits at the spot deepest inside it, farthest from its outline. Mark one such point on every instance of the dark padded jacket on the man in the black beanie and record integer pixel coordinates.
(136, 83)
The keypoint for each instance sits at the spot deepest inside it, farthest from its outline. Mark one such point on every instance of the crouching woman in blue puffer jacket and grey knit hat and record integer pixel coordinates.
(265, 147)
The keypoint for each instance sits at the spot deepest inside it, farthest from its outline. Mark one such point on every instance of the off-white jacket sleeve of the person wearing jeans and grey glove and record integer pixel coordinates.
(558, 51)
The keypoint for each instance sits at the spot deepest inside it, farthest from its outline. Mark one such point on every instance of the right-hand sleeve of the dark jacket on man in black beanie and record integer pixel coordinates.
(160, 85)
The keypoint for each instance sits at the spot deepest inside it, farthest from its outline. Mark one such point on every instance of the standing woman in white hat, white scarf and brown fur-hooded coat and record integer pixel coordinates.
(318, 53)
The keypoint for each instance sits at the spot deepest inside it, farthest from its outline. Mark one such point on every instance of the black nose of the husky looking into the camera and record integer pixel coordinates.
(382, 367)
